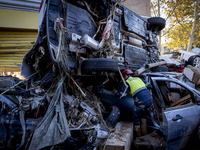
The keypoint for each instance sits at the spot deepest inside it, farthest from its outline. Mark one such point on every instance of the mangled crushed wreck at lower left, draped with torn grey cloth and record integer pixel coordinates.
(51, 119)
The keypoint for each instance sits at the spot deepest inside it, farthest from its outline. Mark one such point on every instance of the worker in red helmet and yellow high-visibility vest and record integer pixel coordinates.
(141, 96)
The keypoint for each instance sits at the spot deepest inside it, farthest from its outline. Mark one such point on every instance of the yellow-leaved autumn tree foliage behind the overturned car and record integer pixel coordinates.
(182, 18)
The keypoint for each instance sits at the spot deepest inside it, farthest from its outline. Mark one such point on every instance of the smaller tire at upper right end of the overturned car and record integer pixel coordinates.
(156, 23)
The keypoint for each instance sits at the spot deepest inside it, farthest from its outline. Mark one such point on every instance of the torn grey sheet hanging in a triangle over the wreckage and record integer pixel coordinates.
(53, 129)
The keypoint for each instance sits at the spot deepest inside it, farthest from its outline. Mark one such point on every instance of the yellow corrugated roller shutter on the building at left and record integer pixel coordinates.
(14, 45)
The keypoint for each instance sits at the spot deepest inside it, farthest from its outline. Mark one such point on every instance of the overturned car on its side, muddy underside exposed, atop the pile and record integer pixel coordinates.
(92, 36)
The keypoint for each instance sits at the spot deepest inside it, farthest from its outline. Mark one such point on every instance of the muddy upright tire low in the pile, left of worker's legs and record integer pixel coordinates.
(113, 116)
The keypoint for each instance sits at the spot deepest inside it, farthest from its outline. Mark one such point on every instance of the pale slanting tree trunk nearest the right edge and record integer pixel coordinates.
(194, 26)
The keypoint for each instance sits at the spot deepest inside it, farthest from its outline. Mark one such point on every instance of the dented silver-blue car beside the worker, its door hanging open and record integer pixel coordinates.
(175, 113)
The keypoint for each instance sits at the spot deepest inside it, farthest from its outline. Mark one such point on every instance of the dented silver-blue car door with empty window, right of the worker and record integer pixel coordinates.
(179, 122)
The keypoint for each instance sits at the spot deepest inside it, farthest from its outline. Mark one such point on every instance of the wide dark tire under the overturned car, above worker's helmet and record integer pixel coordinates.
(99, 64)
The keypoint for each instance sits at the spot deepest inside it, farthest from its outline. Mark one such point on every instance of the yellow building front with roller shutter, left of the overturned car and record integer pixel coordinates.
(18, 31)
